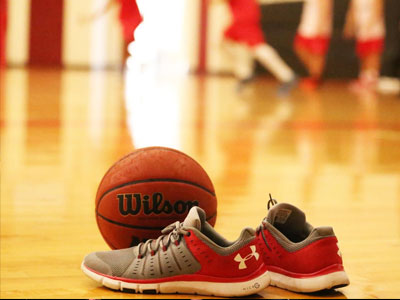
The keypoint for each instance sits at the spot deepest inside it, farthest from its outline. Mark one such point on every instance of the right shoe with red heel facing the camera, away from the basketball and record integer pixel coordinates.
(299, 257)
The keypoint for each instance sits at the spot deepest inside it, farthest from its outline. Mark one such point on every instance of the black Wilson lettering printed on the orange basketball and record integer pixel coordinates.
(133, 204)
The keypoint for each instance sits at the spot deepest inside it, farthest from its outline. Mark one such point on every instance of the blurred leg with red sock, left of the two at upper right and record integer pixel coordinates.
(312, 39)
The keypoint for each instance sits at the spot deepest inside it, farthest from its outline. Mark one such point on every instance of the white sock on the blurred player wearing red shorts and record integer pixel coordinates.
(271, 60)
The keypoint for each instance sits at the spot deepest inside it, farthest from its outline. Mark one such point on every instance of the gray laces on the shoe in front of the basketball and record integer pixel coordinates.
(174, 231)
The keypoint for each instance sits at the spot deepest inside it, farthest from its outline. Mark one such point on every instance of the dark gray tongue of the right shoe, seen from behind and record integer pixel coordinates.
(288, 219)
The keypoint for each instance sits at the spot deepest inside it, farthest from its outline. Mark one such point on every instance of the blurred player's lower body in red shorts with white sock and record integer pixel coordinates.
(246, 29)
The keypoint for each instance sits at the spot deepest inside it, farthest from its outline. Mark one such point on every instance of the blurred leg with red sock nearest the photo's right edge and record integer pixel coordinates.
(368, 28)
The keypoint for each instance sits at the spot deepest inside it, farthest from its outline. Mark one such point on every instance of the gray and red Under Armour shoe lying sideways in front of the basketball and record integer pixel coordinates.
(190, 257)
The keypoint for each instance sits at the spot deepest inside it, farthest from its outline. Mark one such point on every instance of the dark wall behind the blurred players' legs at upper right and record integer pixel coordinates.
(280, 21)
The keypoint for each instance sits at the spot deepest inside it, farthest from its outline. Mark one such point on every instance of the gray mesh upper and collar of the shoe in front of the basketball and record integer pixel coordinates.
(153, 260)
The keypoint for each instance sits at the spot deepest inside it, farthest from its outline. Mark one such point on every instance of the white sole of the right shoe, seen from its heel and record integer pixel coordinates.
(312, 284)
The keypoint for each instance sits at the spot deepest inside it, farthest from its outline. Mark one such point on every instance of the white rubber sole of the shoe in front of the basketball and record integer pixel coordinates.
(222, 289)
